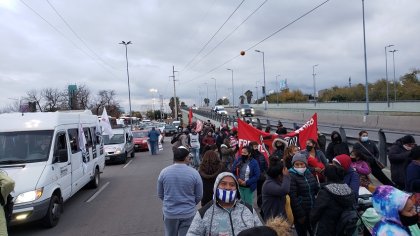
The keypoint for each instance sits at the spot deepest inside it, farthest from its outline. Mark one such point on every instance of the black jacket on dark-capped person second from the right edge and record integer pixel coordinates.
(398, 157)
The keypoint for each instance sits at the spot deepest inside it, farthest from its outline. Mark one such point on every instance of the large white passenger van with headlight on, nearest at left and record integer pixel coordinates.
(41, 152)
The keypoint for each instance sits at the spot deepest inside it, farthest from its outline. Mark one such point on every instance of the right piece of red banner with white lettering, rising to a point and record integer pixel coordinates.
(308, 131)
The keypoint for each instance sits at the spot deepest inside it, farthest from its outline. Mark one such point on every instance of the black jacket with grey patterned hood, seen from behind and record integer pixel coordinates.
(331, 201)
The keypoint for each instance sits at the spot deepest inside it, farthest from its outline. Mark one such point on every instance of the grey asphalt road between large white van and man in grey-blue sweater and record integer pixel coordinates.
(127, 205)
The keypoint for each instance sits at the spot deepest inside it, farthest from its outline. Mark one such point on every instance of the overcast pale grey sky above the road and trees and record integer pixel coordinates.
(39, 50)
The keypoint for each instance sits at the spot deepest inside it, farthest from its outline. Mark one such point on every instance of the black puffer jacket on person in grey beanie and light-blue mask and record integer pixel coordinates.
(303, 189)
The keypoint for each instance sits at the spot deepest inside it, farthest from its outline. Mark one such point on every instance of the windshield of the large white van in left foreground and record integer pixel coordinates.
(25, 146)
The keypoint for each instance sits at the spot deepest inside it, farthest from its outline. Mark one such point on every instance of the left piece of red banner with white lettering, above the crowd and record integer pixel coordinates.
(248, 133)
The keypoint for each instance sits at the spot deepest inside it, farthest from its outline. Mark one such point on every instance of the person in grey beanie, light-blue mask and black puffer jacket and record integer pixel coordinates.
(303, 189)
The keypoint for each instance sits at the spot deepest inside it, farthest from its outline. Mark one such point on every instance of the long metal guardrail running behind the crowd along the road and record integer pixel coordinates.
(348, 134)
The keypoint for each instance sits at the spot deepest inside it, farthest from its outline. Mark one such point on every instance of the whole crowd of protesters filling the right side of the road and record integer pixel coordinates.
(312, 191)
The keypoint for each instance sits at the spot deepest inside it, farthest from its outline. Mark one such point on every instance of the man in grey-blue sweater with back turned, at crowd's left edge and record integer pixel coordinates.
(180, 188)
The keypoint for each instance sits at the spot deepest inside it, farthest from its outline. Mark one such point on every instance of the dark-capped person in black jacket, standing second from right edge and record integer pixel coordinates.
(398, 157)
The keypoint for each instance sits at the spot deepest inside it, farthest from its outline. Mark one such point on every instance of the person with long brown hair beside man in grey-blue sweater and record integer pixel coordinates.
(210, 167)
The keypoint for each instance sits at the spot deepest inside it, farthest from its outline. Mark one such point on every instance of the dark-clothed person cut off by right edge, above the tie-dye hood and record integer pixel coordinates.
(412, 183)
